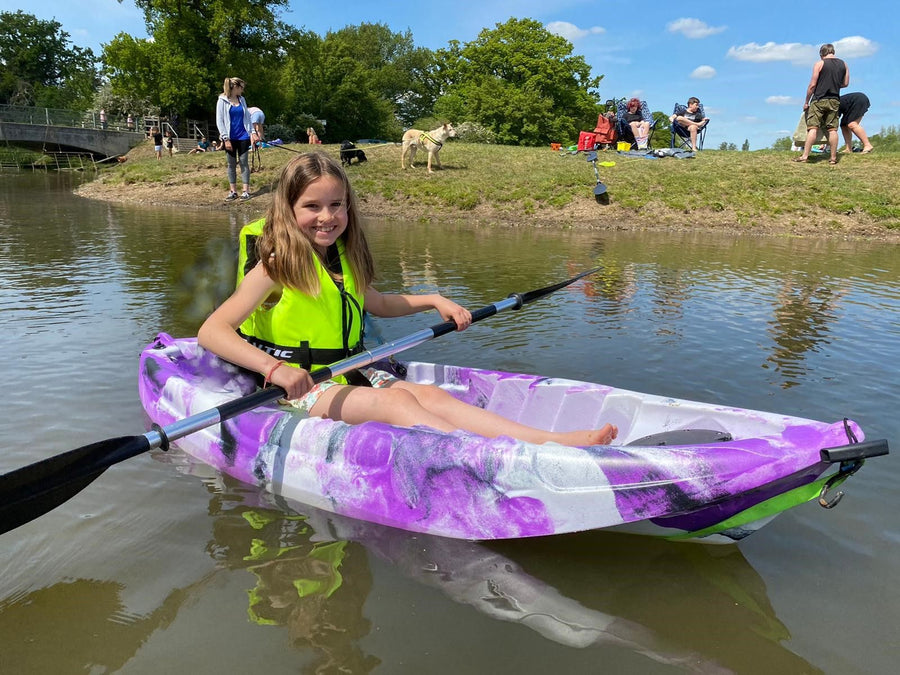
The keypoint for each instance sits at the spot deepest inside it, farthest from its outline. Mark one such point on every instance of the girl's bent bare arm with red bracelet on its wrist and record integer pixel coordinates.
(219, 335)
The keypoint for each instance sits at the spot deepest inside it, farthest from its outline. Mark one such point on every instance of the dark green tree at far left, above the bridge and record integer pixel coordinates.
(39, 67)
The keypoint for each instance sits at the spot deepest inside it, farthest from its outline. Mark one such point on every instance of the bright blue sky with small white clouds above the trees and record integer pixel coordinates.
(748, 63)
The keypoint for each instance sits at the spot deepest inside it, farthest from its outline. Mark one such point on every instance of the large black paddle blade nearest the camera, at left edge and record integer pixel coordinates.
(33, 490)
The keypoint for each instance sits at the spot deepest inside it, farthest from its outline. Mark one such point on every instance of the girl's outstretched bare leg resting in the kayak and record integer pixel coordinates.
(408, 404)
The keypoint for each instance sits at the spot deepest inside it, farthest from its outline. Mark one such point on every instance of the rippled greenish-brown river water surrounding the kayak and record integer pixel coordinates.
(163, 566)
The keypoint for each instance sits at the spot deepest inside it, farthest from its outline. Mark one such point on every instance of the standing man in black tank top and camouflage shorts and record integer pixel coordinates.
(823, 100)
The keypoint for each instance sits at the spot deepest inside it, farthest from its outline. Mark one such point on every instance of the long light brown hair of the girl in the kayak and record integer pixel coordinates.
(286, 253)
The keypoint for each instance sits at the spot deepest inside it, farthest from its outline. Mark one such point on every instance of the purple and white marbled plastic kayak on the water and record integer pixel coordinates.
(679, 469)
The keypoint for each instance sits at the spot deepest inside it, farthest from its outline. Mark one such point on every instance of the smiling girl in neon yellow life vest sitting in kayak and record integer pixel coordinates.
(304, 300)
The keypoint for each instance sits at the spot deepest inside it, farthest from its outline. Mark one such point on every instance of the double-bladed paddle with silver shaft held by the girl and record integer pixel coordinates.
(33, 490)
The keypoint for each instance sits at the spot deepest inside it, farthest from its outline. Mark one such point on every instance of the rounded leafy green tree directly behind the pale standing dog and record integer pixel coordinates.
(520, 81)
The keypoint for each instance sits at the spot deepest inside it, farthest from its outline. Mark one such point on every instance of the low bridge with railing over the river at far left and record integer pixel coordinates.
(64, 131)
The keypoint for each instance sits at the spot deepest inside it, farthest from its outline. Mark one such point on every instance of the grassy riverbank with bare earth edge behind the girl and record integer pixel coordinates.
(750, 192)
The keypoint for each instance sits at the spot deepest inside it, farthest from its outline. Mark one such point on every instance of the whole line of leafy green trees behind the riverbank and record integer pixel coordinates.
(516, 83)
